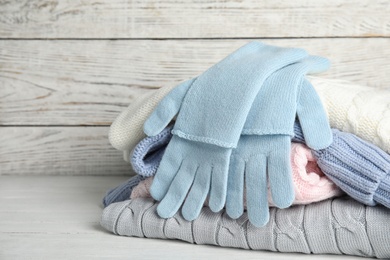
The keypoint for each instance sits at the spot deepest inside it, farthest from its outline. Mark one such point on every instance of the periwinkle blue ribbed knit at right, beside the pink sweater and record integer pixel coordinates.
(359, 168)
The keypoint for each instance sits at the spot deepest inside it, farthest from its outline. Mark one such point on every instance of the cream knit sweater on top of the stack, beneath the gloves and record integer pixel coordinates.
(361, 110)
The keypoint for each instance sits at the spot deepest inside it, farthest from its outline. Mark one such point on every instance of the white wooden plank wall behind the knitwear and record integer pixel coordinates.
(67, 68)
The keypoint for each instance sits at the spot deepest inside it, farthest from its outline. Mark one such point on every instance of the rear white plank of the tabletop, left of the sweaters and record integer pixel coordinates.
(38, 204)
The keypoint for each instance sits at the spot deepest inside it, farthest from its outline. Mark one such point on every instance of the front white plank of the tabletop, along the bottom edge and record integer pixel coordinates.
(103, 245)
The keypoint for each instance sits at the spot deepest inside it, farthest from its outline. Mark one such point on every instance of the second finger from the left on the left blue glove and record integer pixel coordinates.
(178, 190)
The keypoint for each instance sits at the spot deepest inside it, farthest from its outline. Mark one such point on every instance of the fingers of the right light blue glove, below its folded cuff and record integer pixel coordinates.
(254, 157)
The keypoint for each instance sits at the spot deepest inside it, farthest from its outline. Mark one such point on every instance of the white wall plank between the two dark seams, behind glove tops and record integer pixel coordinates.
(90, 82)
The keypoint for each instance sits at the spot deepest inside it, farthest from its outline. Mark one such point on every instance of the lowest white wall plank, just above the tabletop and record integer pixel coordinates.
(59, 151)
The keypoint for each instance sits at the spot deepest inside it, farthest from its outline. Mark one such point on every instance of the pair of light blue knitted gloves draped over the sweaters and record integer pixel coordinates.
(233, 131)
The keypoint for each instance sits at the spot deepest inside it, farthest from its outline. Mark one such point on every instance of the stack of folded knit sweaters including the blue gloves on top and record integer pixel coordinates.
(253, 154)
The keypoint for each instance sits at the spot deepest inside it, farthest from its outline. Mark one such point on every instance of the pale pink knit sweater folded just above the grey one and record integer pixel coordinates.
(310, 184)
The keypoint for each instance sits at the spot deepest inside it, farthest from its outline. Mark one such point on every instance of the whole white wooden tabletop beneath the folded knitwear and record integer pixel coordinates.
(57, 217)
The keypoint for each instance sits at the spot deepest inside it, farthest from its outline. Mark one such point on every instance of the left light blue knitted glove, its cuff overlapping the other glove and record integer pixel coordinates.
(212, 110)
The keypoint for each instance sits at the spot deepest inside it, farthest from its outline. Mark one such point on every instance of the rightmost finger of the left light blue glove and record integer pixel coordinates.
(219, 179)
